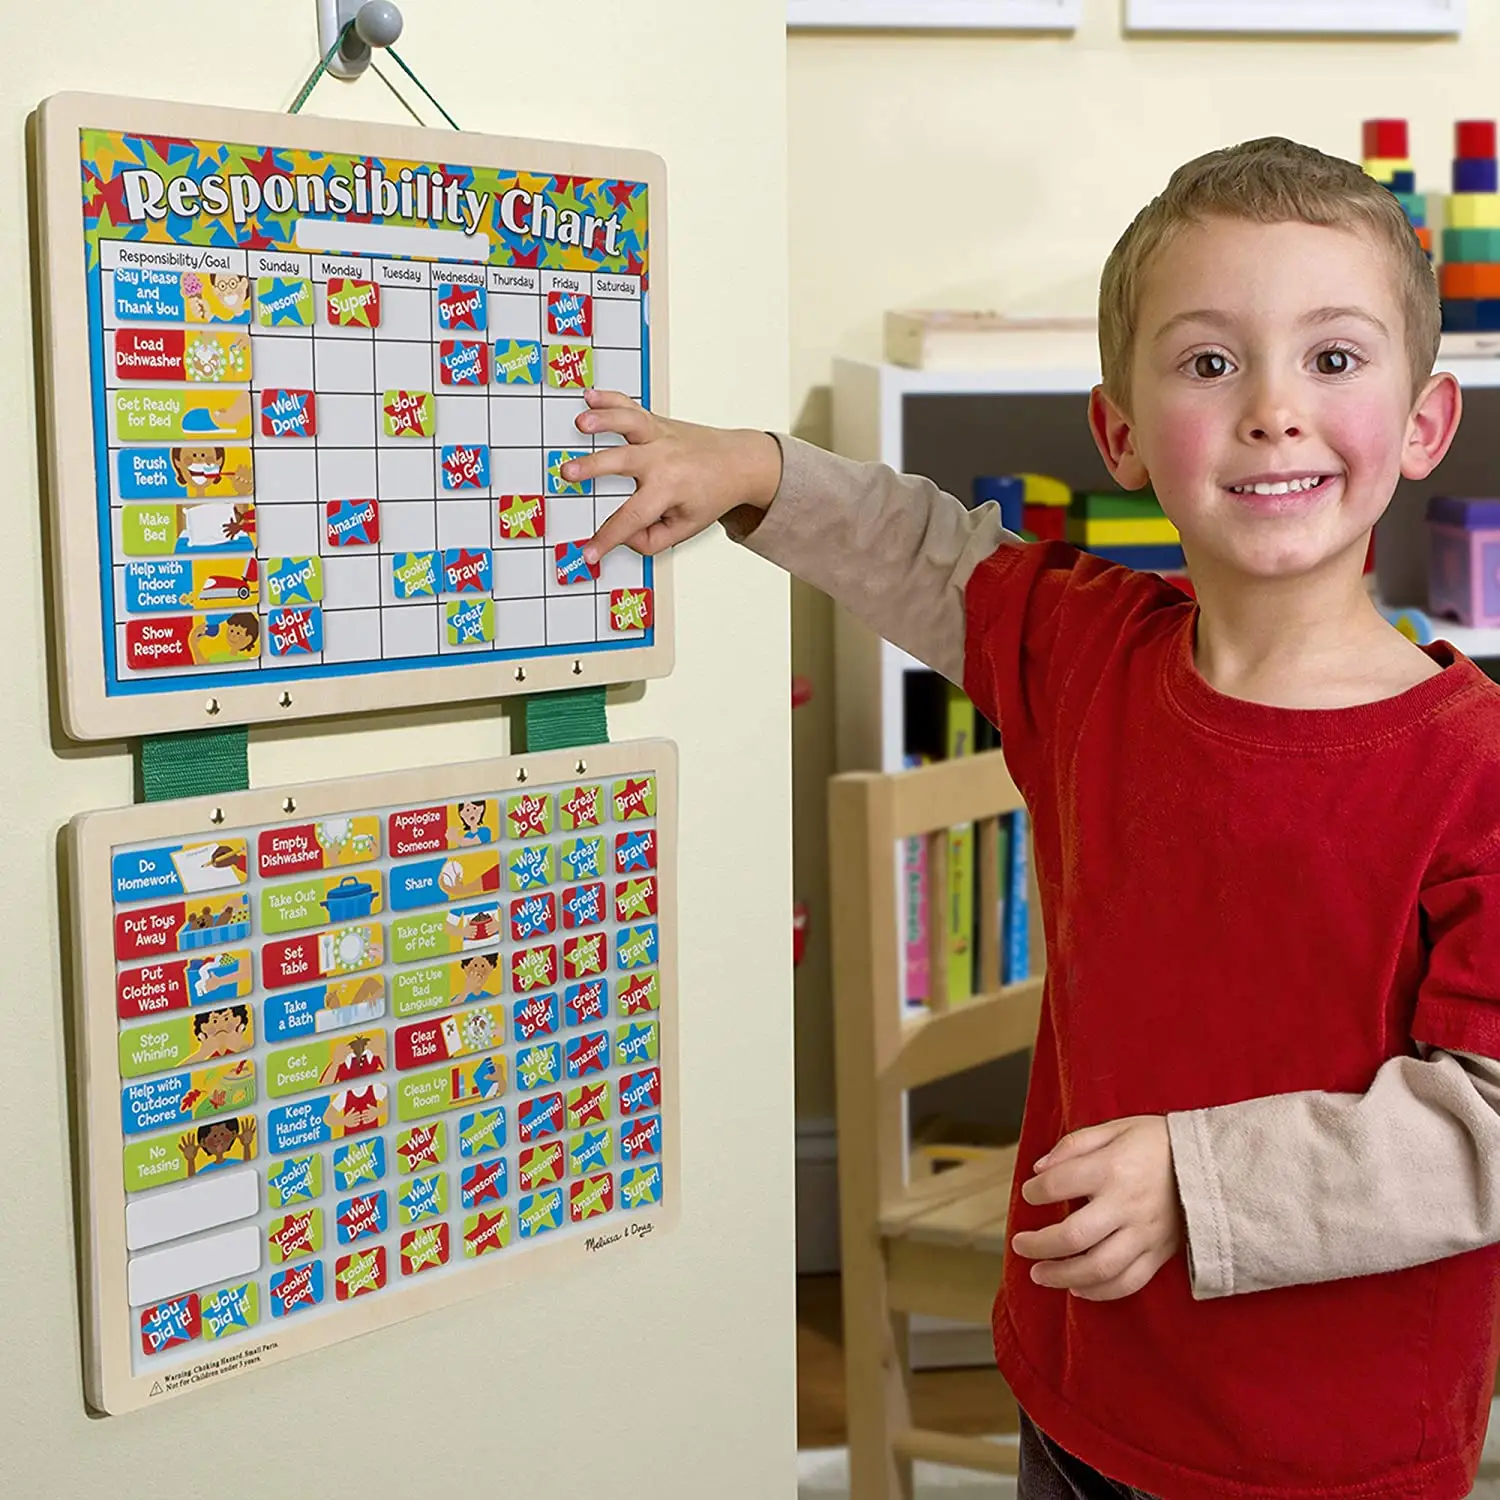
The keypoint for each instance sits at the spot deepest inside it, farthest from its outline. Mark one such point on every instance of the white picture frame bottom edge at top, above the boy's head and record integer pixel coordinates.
(1310, 17)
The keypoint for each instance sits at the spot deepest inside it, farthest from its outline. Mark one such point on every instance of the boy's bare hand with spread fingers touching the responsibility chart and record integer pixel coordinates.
(686, 476)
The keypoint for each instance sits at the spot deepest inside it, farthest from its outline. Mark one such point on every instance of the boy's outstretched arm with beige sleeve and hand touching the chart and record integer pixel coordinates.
(893, 550)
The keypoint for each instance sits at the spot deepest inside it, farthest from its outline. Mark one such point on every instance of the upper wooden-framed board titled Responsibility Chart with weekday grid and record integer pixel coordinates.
(311, 386)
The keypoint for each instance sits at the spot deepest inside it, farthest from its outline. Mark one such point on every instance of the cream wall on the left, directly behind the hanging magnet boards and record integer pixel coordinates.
(655, 1375)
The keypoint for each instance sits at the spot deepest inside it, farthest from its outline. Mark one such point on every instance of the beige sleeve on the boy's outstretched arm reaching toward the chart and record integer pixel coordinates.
(896, 551)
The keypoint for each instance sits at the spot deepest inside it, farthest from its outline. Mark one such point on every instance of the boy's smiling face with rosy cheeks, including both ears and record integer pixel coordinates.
(1274, 355)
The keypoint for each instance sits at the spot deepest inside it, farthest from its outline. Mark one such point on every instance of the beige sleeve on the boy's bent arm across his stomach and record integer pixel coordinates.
(1313, 1187)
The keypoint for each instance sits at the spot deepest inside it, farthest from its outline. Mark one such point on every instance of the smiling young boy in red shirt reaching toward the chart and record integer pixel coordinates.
(1268, 845)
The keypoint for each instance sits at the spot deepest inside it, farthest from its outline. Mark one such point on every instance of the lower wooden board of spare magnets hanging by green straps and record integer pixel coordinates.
(356, 1049)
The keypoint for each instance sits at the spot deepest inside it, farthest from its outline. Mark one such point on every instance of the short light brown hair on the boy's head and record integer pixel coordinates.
(1271, 181)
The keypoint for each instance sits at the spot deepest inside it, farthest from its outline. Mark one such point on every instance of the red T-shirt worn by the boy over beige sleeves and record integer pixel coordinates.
(1241, 901)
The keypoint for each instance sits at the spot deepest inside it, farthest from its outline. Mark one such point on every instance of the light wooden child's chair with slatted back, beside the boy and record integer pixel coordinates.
(914, 1240)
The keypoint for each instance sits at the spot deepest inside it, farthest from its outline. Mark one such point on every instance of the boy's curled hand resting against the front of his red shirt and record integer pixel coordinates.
(1130, 1225)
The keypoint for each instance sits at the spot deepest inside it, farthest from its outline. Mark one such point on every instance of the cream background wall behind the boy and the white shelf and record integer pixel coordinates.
(997, 172)
